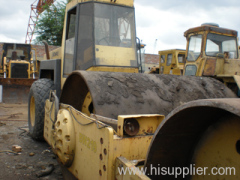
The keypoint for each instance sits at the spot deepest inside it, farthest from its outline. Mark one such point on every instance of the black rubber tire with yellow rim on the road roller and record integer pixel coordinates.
(38, 94)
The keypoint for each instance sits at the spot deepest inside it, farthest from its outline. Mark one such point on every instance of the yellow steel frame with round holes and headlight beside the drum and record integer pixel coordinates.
(89, 148)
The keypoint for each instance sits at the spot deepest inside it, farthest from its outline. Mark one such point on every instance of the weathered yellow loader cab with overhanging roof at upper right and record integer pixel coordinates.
(209, 49)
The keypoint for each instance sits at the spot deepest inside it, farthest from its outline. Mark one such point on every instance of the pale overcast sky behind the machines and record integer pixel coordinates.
(160, 24)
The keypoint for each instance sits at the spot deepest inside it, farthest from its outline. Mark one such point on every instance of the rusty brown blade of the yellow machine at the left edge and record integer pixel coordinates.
(14, 90)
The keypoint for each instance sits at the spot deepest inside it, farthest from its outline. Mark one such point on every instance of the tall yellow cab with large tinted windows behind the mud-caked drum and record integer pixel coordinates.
(99, 36)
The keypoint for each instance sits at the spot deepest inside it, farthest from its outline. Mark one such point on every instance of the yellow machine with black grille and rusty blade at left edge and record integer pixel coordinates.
(18, 70)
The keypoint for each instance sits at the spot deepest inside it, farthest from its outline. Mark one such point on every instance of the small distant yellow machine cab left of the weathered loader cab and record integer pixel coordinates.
(171, 62)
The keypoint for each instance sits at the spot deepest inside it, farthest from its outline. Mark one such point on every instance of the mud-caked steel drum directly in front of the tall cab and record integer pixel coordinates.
(111, 94)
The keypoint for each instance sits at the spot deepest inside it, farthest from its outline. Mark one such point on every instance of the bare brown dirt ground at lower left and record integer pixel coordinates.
(36, 158)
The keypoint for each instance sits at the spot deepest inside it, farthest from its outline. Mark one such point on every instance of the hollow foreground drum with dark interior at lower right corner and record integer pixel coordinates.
(203, 134)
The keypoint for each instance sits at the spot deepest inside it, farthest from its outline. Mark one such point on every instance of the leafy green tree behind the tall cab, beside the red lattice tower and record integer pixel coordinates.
(50, 24)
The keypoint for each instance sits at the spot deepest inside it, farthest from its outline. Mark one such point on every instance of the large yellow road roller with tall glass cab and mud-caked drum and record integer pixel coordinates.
(105, 121)
